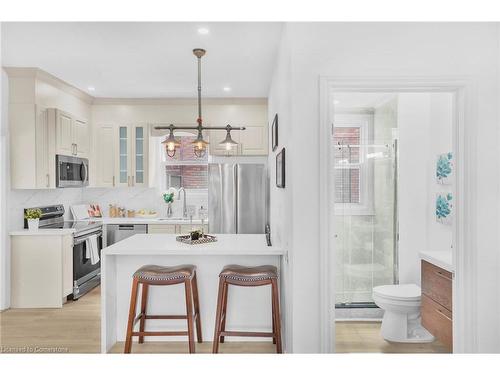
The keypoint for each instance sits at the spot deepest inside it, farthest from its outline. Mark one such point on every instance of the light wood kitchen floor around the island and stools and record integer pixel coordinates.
(76, 329)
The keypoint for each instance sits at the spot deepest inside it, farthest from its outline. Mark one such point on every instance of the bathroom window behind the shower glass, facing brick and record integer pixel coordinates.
(353, 171)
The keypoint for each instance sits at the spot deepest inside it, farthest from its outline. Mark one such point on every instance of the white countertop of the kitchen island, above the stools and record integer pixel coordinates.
(166, 244)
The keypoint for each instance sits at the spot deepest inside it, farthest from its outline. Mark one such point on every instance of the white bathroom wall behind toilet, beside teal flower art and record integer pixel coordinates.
(425, 130)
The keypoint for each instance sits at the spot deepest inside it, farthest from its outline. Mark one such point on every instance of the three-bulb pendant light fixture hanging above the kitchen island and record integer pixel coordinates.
(199, 144)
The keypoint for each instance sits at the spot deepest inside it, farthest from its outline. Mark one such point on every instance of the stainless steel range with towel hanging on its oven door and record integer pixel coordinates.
(86, 275)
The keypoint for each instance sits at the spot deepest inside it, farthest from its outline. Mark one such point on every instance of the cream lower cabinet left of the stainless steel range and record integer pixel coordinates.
(41, 270)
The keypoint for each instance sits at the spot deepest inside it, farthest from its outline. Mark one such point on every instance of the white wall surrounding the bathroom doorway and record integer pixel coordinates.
(388, 50)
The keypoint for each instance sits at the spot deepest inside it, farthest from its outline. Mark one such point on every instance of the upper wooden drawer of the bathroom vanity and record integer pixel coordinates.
(437, 284)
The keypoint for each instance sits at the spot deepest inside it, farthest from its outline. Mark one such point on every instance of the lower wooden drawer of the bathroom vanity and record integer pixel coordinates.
(437, 320)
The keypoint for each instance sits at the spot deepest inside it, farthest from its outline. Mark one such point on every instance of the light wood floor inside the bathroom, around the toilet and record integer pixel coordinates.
(364, 337)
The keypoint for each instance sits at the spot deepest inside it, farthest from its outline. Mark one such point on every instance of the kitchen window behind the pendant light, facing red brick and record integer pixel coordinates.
(185, 169)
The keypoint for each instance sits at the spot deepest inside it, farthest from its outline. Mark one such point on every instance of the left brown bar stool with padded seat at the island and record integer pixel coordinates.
(158, 275)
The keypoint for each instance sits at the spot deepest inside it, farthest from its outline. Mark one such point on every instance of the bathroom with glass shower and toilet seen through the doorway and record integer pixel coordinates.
(386, 147)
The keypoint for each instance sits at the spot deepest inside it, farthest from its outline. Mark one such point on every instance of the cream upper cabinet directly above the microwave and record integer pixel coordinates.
(72, 135)
